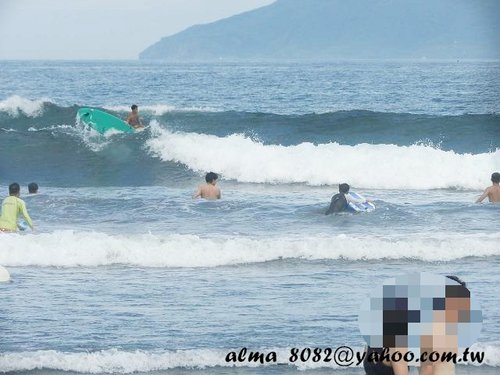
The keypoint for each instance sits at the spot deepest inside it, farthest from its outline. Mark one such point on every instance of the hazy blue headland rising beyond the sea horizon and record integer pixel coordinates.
(339, 29)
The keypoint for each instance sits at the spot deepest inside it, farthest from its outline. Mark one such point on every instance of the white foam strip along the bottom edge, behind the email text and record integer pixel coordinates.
(126, 362)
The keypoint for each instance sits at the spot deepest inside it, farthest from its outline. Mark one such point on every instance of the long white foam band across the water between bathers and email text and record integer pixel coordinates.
(76, 249)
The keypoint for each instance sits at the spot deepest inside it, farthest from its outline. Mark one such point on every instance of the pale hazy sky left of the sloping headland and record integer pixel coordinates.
(101, 29)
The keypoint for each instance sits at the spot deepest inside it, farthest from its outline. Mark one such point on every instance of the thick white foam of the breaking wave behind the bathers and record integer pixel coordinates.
(383, 166)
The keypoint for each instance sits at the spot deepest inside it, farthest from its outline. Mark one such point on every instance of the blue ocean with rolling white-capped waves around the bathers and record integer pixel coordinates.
(126, 273)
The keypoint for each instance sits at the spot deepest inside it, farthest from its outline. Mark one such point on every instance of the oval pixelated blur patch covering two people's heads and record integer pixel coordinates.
(420, 311)
